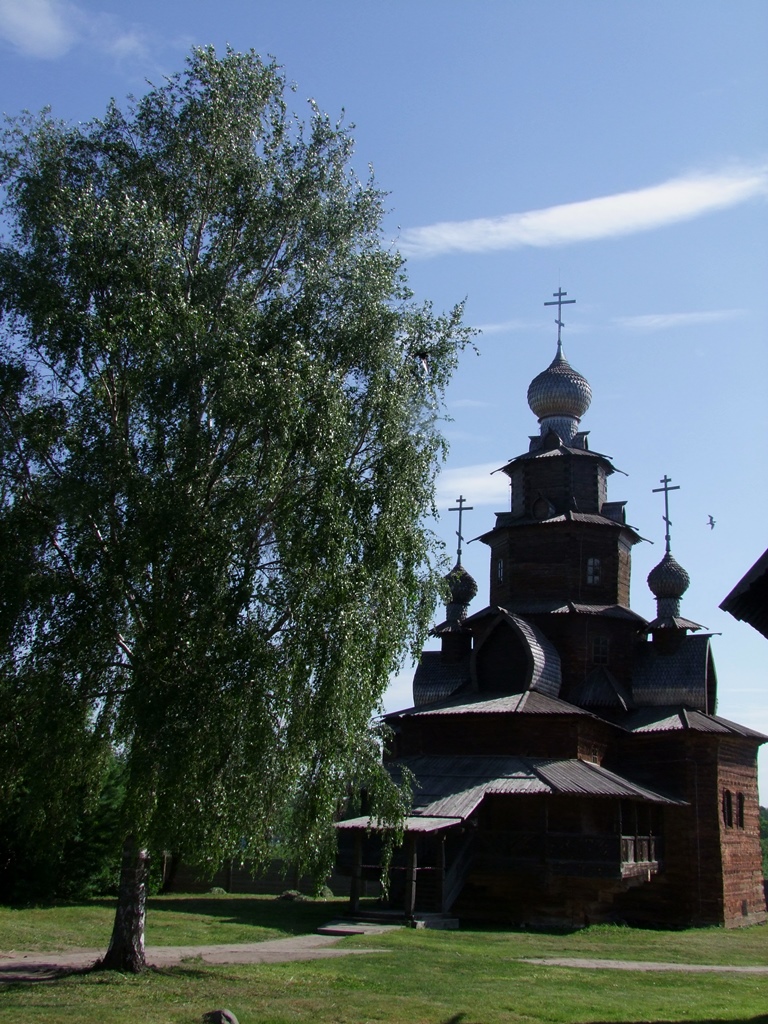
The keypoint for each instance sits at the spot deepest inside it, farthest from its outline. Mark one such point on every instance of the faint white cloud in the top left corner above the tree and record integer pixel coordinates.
(50, 29)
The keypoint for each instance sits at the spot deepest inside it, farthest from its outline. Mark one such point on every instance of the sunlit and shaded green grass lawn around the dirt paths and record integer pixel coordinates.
(467, 977)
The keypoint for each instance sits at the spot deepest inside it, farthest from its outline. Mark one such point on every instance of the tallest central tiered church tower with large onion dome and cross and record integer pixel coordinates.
(562, 556)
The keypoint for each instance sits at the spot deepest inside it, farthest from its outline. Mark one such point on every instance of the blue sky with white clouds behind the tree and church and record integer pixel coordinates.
(616, 150)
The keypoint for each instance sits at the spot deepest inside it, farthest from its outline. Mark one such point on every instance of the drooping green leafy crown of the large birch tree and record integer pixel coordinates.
(220, 417)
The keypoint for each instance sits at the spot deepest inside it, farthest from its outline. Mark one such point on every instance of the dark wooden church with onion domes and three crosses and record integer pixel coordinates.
(569, 761)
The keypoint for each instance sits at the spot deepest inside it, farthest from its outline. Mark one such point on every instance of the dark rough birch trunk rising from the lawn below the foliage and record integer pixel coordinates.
(126, 951)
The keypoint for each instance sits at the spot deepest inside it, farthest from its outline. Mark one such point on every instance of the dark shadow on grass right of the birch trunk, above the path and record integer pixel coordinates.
(290, 917)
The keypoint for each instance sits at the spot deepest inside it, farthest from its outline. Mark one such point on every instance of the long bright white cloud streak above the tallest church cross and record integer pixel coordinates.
(608, 217)
